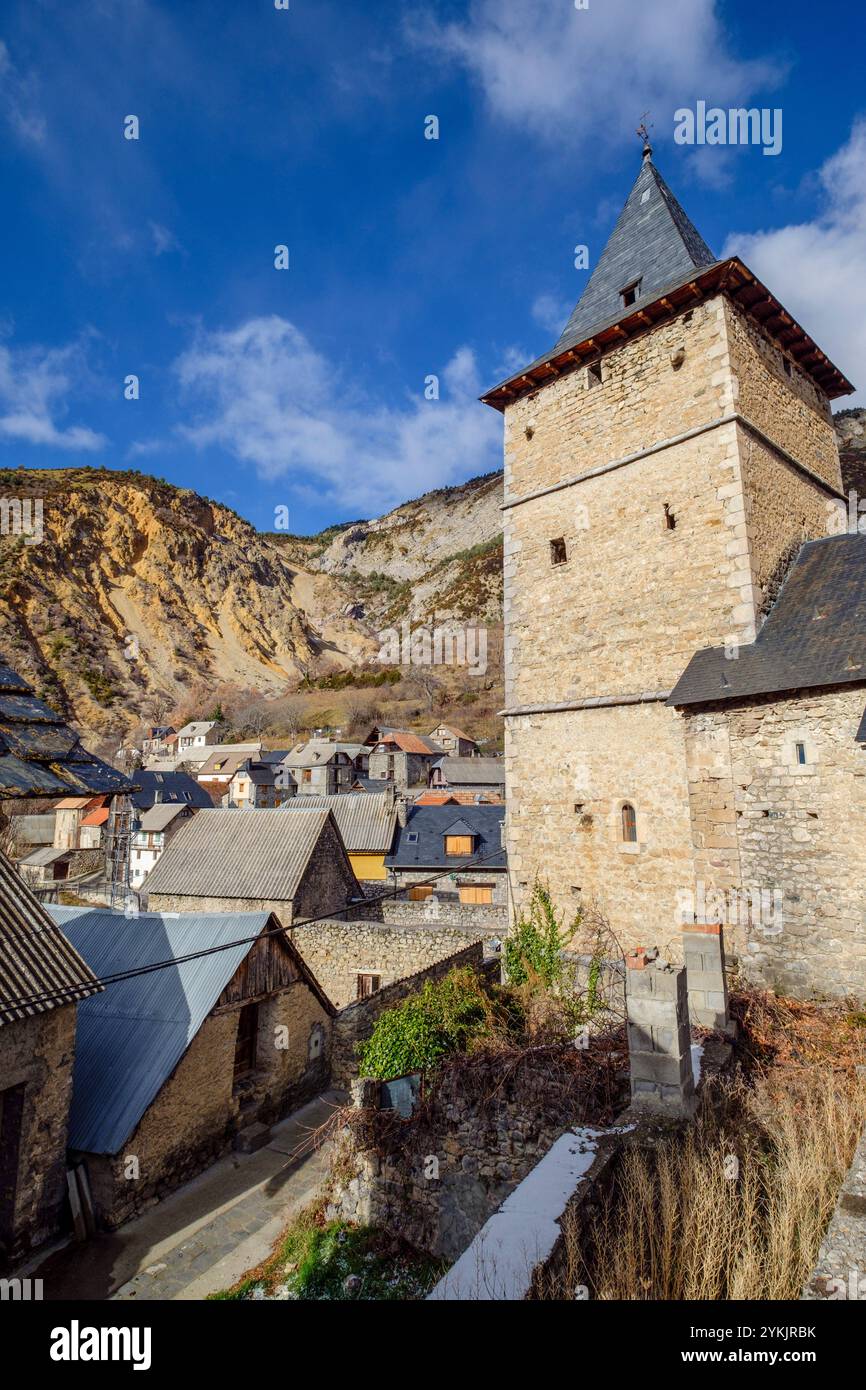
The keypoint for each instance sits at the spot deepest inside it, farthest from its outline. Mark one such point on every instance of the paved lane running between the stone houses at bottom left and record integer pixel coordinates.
(211, 1232)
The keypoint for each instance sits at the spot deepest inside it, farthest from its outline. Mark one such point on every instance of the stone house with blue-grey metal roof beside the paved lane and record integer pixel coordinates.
(177, 1065)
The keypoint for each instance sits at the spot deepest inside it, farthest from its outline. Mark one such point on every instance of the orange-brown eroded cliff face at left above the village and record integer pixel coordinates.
(129, 591)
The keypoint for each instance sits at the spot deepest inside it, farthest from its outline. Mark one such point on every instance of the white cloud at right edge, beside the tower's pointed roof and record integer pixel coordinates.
(818, 269)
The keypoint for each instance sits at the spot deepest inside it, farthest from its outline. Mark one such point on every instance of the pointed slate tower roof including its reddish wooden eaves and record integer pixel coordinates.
(658, 255)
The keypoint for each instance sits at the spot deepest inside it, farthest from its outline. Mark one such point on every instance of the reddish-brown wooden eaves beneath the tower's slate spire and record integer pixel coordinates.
(729, 277)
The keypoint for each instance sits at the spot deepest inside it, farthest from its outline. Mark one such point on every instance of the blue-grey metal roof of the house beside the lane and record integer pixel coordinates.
(131, 1038)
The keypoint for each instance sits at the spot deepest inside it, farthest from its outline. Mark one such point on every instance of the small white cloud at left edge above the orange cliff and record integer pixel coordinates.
(34, 389)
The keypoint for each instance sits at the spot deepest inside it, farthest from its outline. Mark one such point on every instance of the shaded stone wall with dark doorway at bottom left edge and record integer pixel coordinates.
(40, 1053)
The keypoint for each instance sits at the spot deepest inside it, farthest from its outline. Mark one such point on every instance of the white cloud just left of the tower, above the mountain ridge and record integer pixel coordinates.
(270, 400)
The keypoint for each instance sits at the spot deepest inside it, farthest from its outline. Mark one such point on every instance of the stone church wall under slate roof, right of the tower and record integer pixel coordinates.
(764, 822)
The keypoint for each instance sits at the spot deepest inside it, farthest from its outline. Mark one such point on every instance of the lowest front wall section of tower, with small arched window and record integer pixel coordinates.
(596, 760)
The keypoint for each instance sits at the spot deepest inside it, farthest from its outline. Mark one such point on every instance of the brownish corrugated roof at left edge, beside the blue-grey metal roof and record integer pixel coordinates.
(35, 956)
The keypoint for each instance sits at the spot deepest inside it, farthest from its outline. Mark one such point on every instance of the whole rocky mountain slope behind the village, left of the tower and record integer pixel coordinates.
(140, 594)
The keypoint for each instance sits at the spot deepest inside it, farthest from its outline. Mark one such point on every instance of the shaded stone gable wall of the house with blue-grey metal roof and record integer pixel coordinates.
(198, 1111)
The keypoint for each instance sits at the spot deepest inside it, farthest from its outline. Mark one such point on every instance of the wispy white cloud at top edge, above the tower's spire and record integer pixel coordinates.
(572, 76)
